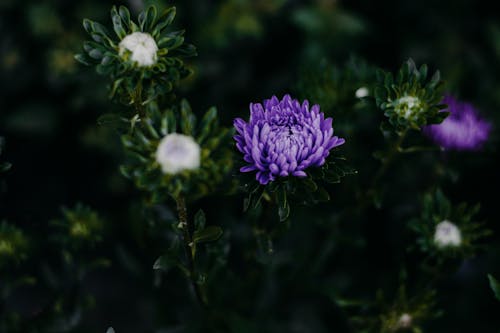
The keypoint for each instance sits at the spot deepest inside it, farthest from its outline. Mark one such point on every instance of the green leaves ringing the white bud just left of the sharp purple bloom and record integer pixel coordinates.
(142, 142)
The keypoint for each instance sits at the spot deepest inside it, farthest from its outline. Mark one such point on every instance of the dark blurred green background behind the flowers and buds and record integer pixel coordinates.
(248, 50)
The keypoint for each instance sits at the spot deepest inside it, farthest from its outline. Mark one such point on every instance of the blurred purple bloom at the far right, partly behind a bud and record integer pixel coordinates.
(463, 129)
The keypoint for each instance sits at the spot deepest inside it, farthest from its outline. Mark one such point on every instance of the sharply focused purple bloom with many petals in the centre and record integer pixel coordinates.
(284, 138)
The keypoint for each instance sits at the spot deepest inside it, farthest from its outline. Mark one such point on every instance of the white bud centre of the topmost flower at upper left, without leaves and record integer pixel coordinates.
(142, 47)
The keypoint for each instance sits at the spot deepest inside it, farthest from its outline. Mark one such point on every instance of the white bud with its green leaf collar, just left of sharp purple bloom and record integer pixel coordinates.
(170, 153)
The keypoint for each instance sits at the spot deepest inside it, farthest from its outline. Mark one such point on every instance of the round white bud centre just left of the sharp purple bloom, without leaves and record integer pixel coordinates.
(178, 152)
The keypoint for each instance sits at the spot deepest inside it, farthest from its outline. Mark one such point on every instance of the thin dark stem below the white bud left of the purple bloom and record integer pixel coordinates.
(186, 227)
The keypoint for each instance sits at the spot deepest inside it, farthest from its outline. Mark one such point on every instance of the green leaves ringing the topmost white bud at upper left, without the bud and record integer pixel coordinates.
(132, 83)
